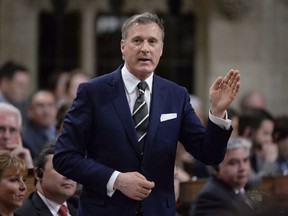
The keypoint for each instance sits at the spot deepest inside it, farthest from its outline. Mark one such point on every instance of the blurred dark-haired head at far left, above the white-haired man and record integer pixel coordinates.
(14, 82)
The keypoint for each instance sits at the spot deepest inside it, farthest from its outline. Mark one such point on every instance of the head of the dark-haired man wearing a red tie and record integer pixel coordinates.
(49, 182)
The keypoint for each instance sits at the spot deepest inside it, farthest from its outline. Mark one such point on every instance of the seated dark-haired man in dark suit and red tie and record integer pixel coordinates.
(53, 191)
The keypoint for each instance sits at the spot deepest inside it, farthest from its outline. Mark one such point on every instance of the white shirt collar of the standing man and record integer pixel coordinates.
(130, 81)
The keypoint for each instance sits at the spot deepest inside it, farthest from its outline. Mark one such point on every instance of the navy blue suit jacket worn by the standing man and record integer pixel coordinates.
(98, 137)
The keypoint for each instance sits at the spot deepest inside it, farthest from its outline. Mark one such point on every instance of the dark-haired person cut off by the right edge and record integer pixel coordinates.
(280, 136)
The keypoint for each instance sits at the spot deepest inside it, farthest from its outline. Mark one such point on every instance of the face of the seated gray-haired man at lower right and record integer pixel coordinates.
(235, 168)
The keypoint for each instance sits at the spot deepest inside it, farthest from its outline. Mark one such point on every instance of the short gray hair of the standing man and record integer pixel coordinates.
(143, 18)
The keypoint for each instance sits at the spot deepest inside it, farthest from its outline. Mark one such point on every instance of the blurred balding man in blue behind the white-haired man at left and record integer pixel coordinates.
(41, 126)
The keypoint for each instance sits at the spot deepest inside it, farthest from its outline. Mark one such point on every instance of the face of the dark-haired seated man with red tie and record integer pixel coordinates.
(55, 186)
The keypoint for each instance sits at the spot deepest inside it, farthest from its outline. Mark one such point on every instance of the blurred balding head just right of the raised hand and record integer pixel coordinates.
(252, 99)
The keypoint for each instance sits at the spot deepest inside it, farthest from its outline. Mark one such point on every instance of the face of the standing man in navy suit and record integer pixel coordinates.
(142, 49)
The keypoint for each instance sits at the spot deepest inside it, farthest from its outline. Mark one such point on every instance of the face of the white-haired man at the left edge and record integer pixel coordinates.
(9, 131)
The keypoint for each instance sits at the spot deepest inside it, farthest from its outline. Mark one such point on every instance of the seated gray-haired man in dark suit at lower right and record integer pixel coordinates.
(220, 195)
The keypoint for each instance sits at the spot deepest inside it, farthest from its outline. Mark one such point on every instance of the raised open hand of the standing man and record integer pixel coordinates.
(223, 91)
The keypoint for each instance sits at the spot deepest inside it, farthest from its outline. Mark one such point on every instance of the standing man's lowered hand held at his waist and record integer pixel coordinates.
(134, 185)
